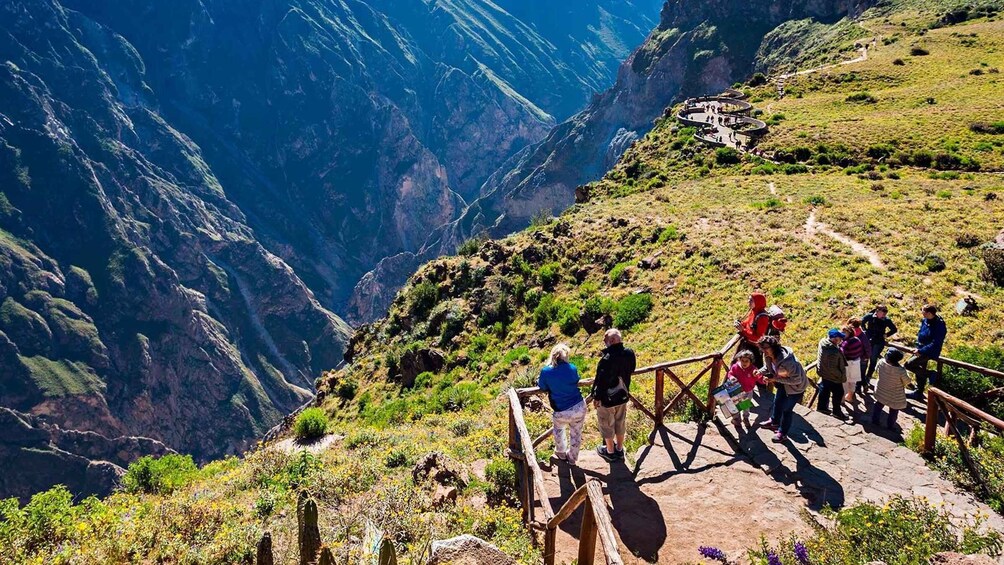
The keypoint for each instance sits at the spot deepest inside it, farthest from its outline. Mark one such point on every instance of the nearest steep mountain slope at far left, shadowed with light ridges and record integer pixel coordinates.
(136, 300)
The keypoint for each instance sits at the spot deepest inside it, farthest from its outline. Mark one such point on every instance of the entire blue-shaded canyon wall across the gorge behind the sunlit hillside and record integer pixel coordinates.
(190, 190)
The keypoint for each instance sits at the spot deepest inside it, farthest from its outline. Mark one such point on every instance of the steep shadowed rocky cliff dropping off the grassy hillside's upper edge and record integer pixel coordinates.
(699, 48)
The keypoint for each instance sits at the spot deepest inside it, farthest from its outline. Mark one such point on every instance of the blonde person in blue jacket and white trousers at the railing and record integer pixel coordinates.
(560, 380)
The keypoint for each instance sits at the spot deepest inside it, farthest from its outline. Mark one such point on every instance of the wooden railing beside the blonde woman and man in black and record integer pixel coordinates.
(597, 520)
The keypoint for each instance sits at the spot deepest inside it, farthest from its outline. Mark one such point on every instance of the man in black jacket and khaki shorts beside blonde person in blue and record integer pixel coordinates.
(610, 393)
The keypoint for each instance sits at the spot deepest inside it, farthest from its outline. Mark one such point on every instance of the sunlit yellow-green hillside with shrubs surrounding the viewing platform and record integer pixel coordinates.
(668, 247)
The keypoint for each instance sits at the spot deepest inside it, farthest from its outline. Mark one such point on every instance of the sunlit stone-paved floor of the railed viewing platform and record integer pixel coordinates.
(709, 485)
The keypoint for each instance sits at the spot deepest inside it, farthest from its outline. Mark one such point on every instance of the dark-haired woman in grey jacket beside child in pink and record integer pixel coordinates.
(781, 367)
